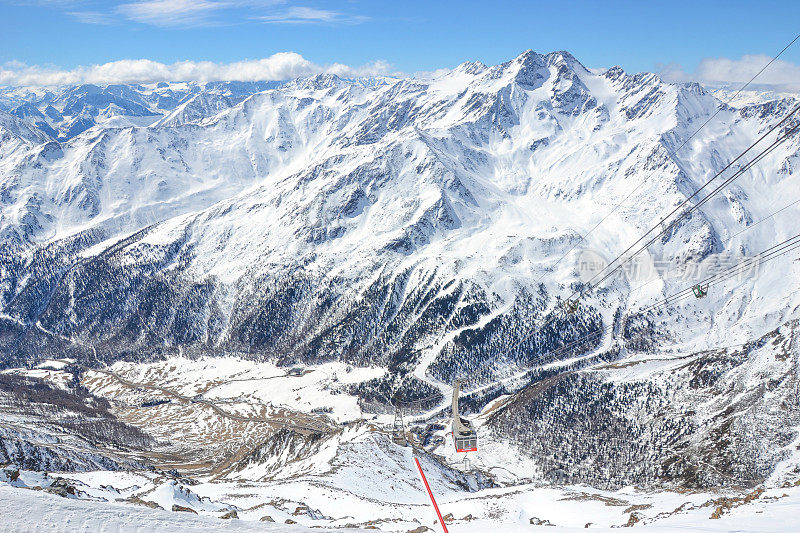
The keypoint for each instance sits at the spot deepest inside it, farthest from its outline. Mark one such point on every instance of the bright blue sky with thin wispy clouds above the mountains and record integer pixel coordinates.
(402, 36)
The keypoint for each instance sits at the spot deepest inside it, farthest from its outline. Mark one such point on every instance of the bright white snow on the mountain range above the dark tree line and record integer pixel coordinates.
(490, 174)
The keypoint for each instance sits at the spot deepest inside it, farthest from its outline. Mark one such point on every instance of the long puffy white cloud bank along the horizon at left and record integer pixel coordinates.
(280, 66)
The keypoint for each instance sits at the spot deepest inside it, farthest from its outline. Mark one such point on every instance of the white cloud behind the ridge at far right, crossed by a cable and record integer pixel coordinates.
(780, 75)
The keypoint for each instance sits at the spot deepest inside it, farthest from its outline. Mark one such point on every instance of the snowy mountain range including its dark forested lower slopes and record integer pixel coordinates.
(412, 228)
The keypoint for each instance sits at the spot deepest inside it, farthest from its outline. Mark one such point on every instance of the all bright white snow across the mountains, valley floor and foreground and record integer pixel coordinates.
(494, 173)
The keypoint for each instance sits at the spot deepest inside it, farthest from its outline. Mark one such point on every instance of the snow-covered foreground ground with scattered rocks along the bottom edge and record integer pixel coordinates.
(502, 510)
